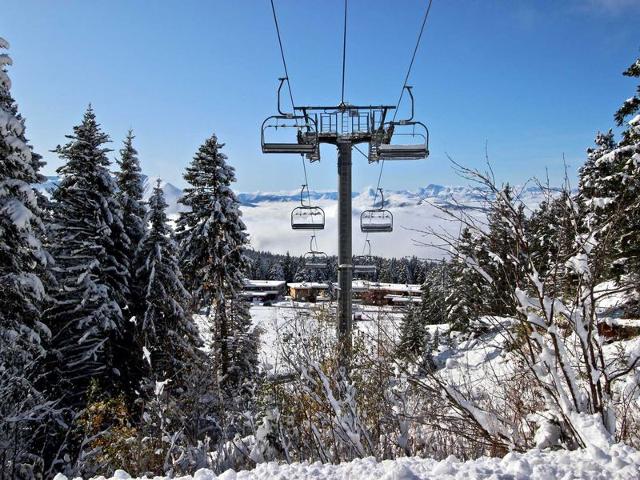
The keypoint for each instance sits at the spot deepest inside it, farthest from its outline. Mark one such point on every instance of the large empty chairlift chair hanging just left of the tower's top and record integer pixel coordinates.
(277, 129)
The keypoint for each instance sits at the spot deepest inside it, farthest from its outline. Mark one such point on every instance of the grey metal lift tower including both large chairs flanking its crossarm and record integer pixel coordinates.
(344, 126)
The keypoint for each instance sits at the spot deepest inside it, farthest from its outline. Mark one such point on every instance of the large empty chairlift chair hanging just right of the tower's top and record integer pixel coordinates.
(405, 139)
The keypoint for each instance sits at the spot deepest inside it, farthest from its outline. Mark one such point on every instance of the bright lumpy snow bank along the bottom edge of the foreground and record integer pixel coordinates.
(616, 462)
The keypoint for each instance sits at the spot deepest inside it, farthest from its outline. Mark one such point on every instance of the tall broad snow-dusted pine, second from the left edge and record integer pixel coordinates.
(90, 334)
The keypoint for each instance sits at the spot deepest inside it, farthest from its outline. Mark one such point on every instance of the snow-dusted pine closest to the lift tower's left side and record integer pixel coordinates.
(212, 242)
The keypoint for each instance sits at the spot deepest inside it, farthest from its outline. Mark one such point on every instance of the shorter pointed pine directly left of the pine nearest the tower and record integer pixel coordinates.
(166, 329)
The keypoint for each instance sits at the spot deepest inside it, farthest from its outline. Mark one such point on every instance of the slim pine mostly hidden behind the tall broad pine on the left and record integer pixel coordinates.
(129, 195)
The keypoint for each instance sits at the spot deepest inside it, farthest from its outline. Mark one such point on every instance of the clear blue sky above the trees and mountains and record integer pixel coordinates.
(533, 78)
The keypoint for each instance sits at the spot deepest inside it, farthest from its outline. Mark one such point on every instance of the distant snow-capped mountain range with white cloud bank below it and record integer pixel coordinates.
(267, 216)
